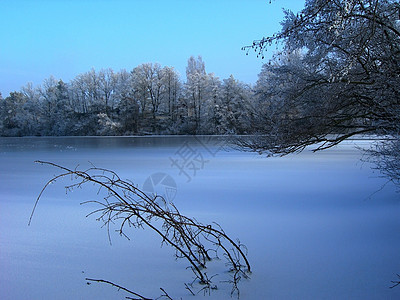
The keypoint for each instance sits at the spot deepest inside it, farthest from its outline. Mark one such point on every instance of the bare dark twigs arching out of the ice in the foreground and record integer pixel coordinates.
(193, 241)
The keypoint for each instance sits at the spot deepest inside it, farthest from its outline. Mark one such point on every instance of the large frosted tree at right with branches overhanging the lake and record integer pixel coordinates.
(338, 75)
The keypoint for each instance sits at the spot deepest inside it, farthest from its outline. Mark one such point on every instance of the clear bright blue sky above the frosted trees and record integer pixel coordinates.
(40, 38)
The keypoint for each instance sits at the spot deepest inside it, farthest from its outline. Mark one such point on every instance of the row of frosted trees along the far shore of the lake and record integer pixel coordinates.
(150, 99)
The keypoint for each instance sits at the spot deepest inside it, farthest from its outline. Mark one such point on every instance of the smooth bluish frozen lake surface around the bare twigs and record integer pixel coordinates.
(310, 225)
